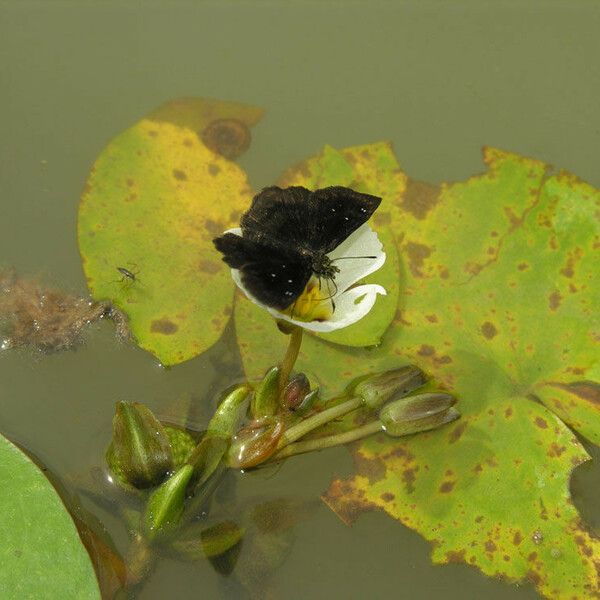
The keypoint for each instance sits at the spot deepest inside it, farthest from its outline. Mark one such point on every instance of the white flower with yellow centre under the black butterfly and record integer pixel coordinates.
(314, 309)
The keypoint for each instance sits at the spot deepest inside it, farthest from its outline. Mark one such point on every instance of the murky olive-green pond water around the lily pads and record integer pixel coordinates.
(440, 79)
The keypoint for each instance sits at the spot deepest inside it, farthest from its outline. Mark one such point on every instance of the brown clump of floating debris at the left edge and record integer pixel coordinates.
(48, 319)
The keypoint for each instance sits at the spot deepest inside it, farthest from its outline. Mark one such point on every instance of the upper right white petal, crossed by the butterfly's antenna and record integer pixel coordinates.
(363, 242)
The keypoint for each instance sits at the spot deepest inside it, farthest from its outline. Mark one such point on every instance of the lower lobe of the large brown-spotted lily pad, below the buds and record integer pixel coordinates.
(478, 502)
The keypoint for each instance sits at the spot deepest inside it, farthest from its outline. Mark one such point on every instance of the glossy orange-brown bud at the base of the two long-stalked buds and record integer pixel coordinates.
(254, 445)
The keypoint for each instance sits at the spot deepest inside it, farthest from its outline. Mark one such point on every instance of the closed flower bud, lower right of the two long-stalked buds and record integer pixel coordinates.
(418, 413)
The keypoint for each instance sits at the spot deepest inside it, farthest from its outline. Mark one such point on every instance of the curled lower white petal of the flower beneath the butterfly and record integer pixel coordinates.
(350, 306)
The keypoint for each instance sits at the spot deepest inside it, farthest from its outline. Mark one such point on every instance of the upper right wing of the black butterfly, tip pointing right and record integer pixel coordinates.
(335, 213)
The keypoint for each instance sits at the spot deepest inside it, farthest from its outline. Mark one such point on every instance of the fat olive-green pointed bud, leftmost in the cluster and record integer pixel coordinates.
(140, 453)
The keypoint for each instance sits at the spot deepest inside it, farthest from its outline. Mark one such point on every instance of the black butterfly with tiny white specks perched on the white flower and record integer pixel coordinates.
(286, 236)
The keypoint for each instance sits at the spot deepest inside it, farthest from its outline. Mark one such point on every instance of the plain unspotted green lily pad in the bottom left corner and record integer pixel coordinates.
(41, 553)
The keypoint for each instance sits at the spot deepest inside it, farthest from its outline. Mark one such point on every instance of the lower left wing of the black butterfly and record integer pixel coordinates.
(274, 277)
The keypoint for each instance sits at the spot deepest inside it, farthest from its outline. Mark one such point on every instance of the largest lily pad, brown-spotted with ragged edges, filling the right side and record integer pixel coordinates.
(496, 304)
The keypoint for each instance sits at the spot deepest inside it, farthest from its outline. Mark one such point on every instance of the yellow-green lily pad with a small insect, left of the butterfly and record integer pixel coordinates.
(154, 200)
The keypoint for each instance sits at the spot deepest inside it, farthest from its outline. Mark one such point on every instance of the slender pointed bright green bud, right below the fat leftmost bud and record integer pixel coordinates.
(166, 503)
